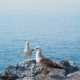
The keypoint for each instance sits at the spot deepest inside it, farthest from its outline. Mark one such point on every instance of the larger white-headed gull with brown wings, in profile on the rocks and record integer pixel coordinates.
(45, 62)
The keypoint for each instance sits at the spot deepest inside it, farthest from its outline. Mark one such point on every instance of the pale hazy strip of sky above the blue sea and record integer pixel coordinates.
(40, 4)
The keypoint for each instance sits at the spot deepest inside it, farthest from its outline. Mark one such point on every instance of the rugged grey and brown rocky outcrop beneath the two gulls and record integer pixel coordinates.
(22, 71)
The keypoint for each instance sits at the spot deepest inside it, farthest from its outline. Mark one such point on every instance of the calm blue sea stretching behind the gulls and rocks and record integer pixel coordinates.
(57, 34)
